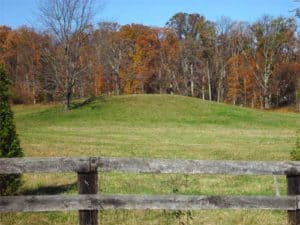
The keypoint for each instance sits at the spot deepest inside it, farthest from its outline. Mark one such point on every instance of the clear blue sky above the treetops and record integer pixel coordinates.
(15, 13)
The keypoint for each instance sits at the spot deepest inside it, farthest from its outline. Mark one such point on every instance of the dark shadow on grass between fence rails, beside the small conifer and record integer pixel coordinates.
(50, 190)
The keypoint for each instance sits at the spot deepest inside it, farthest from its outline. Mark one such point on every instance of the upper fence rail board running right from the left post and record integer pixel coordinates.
(197, 166)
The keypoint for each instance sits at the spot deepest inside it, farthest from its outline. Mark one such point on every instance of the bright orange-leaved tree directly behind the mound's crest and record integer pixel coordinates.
(140, 72)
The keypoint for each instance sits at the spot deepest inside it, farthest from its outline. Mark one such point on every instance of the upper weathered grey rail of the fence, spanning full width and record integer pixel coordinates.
(106, 164)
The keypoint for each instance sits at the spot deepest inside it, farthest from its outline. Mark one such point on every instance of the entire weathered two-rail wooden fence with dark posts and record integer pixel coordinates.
(88, 202)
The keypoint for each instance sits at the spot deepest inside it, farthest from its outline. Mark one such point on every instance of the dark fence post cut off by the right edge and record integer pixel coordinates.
(293, 186)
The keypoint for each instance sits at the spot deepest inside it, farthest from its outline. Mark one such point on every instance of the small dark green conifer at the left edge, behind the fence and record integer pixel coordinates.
(9, 142)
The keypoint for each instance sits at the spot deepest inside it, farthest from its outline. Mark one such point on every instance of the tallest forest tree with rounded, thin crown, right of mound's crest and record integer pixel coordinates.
(196, 36)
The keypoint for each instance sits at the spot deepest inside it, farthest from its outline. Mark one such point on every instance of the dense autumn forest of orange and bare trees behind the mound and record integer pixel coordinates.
(254, 65)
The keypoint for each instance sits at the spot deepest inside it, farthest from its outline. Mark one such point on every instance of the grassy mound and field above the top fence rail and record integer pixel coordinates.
(157, 126)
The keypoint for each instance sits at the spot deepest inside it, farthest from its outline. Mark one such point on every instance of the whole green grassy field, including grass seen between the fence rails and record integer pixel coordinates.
(156, 126)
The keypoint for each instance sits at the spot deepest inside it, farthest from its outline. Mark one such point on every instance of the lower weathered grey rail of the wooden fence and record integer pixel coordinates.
(94, 202)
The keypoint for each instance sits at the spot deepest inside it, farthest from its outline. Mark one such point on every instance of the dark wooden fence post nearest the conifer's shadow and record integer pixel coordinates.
(88, 184)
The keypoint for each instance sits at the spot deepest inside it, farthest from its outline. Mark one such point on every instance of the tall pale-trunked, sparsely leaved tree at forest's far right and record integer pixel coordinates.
(273, 37)
